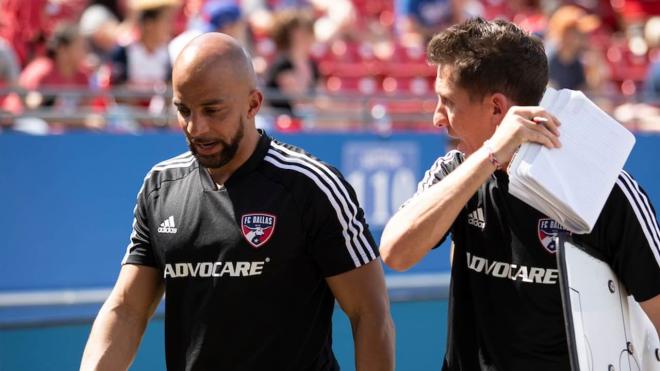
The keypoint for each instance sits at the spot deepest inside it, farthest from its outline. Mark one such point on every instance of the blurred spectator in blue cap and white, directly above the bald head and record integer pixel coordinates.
(215, 16)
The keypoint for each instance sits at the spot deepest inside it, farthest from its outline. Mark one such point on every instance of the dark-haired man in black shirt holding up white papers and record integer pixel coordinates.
(505, 310)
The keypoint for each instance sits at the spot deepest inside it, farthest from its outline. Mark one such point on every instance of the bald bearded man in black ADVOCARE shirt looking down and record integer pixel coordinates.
(251, 239)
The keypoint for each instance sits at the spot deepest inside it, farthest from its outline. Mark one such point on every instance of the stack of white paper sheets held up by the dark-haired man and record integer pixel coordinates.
(571, 184)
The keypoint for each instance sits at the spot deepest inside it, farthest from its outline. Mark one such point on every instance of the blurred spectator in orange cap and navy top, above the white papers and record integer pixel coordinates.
(568, 28)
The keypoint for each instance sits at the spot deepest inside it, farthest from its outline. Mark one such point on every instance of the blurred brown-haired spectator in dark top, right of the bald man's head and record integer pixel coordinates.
(293, 72)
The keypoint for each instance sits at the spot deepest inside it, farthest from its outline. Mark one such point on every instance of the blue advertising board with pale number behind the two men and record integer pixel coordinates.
(66, 201)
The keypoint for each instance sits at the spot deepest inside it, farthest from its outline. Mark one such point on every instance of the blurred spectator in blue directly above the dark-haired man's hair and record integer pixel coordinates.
(418, 20)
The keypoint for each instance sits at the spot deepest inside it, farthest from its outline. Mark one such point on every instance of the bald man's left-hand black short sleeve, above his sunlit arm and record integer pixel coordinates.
(139, 249)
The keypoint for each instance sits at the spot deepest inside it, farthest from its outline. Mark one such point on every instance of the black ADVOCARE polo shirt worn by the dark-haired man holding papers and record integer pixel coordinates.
(505, 310)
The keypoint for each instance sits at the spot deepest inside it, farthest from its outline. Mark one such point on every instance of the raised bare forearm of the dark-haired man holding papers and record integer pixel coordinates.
(415, 229)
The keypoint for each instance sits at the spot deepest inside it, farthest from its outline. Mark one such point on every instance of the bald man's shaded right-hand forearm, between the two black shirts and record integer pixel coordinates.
(374, 343)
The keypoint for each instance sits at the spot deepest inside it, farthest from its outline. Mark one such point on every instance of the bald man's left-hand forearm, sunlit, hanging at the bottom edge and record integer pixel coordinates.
(114, 339)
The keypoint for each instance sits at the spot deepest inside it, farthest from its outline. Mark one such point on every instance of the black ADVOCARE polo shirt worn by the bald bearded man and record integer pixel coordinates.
(245, 264)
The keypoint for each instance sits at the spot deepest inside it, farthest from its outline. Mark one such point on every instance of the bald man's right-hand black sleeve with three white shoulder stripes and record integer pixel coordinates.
(340, 239)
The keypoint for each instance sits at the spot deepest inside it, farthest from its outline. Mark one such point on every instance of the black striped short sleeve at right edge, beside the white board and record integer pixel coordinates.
(627, 234)
